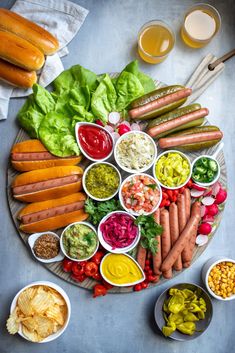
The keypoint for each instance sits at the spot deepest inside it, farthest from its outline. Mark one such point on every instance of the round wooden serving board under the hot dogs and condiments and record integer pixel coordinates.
(55, 267)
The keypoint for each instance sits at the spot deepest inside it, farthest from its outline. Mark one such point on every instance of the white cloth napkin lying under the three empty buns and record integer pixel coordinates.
(60, 17)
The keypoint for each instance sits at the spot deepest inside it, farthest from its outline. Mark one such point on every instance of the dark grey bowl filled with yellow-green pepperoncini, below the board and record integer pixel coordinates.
(183, 312)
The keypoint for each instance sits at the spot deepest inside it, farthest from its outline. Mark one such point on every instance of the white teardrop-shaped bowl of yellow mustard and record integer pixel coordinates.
(121, 270)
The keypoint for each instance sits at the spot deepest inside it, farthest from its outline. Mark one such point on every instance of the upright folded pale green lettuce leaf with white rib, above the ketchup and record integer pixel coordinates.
(104, 98)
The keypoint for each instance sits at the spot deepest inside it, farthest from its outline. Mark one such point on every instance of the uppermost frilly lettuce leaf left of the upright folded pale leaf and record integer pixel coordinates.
(74, 77)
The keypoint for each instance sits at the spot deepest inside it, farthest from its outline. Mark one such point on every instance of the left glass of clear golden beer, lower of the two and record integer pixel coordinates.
(155, 41)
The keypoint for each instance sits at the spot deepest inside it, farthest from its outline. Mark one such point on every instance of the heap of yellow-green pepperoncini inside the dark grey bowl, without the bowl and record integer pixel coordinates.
(182, 310)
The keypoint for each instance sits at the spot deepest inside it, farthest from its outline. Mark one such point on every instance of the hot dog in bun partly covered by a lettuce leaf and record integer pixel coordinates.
(31, 155)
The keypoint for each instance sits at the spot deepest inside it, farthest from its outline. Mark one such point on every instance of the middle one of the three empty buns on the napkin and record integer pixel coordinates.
(20, 52)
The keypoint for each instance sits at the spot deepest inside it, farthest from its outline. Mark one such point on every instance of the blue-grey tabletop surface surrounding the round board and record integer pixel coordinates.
(124, 323)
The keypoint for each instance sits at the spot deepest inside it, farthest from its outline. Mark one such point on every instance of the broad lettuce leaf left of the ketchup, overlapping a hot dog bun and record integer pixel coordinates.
(57, 134)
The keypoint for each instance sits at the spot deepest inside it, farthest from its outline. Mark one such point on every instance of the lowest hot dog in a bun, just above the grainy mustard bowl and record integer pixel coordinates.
(52, 214)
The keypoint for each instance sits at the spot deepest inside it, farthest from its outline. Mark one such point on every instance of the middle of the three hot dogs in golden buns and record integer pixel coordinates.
(48, 183)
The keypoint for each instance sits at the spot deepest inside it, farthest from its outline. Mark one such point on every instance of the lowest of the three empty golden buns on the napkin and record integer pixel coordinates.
(16, 76)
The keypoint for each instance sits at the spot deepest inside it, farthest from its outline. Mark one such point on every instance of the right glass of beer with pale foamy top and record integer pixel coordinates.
(201, 23)
